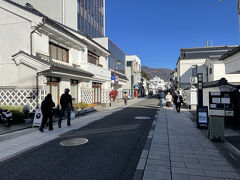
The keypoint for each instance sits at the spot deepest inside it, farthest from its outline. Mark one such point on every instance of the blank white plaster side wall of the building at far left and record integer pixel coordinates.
(15, 36)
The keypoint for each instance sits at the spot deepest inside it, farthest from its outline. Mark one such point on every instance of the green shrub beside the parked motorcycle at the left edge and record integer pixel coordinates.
(17, 112)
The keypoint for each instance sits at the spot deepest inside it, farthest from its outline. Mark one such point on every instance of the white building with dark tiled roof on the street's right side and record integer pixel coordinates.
(205, 60)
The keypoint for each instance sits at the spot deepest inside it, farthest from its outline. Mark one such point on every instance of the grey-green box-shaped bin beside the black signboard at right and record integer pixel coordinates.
(216, 128)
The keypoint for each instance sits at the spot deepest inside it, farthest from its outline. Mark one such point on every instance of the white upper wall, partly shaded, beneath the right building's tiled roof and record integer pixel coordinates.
(185, 69)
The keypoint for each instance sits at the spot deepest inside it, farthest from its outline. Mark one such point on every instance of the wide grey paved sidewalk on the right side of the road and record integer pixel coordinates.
(179, 151)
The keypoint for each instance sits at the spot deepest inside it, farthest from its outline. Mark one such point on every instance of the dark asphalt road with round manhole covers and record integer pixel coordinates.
(114, 147)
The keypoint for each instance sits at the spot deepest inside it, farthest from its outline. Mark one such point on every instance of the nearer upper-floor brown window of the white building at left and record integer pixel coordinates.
(58, 53)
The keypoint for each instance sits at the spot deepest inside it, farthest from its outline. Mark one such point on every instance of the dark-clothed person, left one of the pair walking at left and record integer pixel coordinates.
(47, 112)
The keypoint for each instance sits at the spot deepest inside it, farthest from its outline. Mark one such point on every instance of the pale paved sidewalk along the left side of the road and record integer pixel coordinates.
(11, 145)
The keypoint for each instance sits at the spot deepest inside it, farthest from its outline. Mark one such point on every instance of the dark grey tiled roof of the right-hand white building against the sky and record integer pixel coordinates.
(205, 52)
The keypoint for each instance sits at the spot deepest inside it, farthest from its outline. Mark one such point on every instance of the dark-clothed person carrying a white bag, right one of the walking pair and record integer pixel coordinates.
(66, 106)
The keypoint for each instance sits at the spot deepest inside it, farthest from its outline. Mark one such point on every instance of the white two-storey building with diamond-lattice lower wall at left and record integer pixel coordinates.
(40, 56)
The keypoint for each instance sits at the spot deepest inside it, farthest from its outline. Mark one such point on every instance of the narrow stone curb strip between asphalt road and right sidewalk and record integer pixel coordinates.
(139, 172)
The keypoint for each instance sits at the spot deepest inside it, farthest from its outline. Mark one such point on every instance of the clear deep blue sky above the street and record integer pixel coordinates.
(155, 30)
